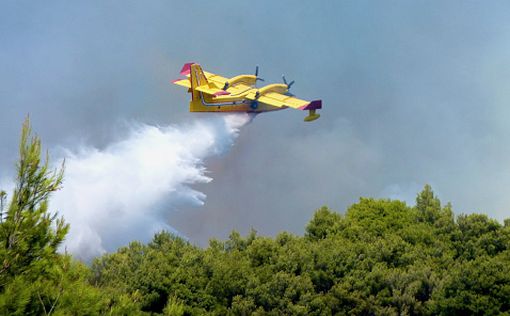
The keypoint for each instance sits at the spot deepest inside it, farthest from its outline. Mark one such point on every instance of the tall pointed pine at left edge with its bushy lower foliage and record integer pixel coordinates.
(34, 278)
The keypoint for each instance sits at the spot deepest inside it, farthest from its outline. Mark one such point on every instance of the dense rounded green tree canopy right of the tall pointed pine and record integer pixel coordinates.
(381, 257)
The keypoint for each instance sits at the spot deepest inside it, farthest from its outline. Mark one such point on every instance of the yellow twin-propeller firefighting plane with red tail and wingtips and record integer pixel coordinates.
(213, 93)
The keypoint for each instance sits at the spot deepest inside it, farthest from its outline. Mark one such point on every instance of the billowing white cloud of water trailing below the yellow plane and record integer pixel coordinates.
(125, 191)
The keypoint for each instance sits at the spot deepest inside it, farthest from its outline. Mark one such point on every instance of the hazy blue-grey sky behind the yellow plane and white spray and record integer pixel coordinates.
(413, 92)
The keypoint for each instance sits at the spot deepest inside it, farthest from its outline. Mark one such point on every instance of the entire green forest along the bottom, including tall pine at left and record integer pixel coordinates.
(379, 257)
